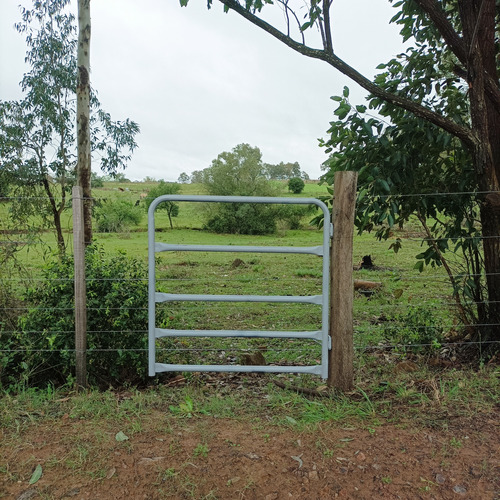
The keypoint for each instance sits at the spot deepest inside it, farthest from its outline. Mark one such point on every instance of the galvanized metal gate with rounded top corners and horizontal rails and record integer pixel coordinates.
(155, 297)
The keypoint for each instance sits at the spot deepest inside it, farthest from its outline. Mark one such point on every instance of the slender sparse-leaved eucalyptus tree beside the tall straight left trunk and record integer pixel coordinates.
(37, 132)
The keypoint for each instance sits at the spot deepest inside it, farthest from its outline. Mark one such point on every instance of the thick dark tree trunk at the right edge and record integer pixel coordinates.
(478, 22)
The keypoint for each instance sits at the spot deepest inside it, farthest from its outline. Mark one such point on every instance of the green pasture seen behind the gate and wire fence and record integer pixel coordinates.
(377, 316)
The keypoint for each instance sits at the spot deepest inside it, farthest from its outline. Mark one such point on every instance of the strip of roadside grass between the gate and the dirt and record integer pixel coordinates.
(420, 396)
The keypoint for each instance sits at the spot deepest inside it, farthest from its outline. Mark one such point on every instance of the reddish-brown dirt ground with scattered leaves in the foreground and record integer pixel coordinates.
(216, 458)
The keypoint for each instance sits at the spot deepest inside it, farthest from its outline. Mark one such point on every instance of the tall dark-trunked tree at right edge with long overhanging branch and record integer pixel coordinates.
(463, 32)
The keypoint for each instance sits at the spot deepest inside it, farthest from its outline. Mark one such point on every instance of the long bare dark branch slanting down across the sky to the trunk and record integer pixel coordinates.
(463, 133)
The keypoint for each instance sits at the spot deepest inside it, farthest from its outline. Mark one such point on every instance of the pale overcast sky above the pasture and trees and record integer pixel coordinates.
(199, 82)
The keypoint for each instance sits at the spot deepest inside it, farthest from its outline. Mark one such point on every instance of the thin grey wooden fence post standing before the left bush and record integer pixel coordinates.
(80, 289)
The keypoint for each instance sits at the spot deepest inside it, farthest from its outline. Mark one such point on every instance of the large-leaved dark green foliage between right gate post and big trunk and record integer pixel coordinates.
(411, 169)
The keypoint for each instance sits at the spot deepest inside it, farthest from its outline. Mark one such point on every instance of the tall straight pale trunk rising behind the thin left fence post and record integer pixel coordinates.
(83, 114)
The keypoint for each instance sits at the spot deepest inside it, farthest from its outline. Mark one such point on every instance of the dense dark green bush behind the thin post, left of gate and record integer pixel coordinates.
(117, 301)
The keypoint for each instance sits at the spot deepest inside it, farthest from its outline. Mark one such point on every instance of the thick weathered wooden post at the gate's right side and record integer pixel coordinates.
(340, 363)
